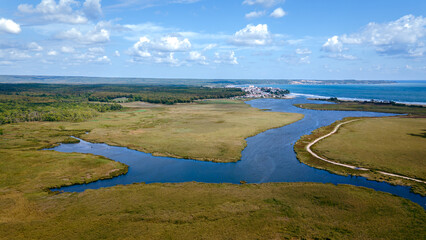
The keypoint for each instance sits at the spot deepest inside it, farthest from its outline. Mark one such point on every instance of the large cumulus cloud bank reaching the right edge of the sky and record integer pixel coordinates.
(404, 36)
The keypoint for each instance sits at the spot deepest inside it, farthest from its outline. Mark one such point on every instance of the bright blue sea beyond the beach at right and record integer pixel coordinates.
(410, 92)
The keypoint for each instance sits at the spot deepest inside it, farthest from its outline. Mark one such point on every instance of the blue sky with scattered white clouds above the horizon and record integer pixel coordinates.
(215, 39)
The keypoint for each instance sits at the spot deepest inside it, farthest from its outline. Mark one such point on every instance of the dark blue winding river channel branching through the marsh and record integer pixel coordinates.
(268, 157)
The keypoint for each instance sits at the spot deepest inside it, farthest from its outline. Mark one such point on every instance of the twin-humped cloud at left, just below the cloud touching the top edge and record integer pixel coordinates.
(94, 36)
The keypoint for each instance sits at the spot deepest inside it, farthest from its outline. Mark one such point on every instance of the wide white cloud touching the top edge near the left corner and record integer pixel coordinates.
(49, 10)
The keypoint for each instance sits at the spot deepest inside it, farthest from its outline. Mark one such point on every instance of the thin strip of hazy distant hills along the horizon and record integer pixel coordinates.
(175, 81)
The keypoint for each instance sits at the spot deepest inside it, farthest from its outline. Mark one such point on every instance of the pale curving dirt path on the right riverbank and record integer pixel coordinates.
(308, 148)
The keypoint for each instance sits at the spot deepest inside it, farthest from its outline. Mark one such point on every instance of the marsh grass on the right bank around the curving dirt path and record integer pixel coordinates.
(379, 144)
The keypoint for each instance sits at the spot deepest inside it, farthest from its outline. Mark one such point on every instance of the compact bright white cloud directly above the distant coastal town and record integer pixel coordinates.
(252, 35)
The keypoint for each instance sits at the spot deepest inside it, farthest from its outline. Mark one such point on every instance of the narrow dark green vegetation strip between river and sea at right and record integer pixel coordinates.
(370, 106)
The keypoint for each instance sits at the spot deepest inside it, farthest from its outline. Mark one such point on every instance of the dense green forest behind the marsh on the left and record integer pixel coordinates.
(64, 102)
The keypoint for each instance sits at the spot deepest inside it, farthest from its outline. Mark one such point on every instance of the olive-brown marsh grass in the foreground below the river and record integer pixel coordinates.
(215, 211)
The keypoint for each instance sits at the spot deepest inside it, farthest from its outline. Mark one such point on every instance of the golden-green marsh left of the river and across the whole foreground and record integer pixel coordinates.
(184, 210)
